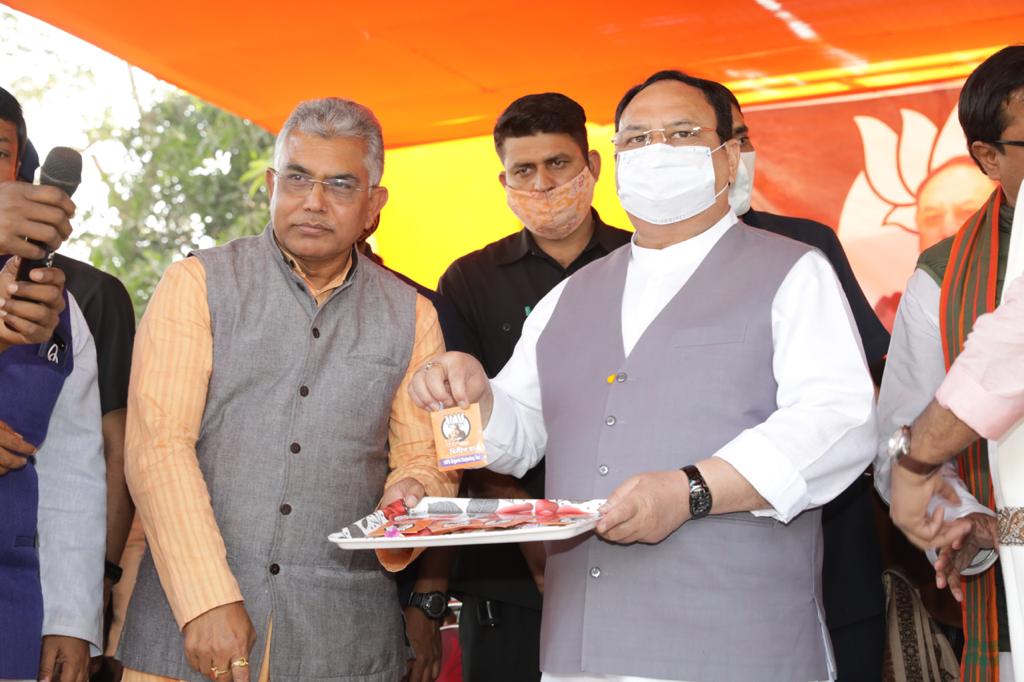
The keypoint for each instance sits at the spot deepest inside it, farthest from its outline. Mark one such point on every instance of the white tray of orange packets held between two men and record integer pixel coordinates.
(355, 537)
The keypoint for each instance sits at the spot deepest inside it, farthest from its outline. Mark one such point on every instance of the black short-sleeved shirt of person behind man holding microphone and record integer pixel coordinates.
(109, 313)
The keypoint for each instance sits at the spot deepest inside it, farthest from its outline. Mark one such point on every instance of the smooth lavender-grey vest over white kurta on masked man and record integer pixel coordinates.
(727, 599)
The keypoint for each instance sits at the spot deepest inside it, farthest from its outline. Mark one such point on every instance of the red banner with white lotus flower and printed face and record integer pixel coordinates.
(889, 172)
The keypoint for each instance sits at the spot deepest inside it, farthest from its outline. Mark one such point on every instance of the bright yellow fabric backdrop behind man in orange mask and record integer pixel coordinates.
(446, 201)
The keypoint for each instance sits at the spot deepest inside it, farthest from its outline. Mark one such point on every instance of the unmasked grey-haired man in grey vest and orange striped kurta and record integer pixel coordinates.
(268, 409)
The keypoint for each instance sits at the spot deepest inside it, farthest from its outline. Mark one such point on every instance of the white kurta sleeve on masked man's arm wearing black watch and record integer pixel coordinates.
(822, 437)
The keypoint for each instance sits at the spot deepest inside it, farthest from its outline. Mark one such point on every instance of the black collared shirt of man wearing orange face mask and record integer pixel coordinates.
(494, 290)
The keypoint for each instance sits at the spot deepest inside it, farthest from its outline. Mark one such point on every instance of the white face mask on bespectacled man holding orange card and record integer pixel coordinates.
(663, 185)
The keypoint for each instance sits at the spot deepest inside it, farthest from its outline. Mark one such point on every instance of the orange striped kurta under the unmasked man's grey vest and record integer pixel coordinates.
(174, 360)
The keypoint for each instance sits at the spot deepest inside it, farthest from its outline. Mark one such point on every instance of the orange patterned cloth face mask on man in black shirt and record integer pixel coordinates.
(557, 214)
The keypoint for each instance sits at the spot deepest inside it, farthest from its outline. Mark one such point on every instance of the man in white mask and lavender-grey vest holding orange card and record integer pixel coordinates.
(708, 381)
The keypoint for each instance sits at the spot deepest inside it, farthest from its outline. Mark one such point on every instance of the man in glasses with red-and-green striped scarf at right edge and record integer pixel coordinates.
(958, 282)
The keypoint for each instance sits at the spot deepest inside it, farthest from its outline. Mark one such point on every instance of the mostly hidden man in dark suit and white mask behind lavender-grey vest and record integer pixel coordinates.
(852, 567)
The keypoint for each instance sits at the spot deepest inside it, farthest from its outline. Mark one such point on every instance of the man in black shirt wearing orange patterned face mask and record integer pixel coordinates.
(549, 176)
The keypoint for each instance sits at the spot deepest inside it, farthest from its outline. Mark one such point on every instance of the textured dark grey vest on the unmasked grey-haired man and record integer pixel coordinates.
(293, 447)
